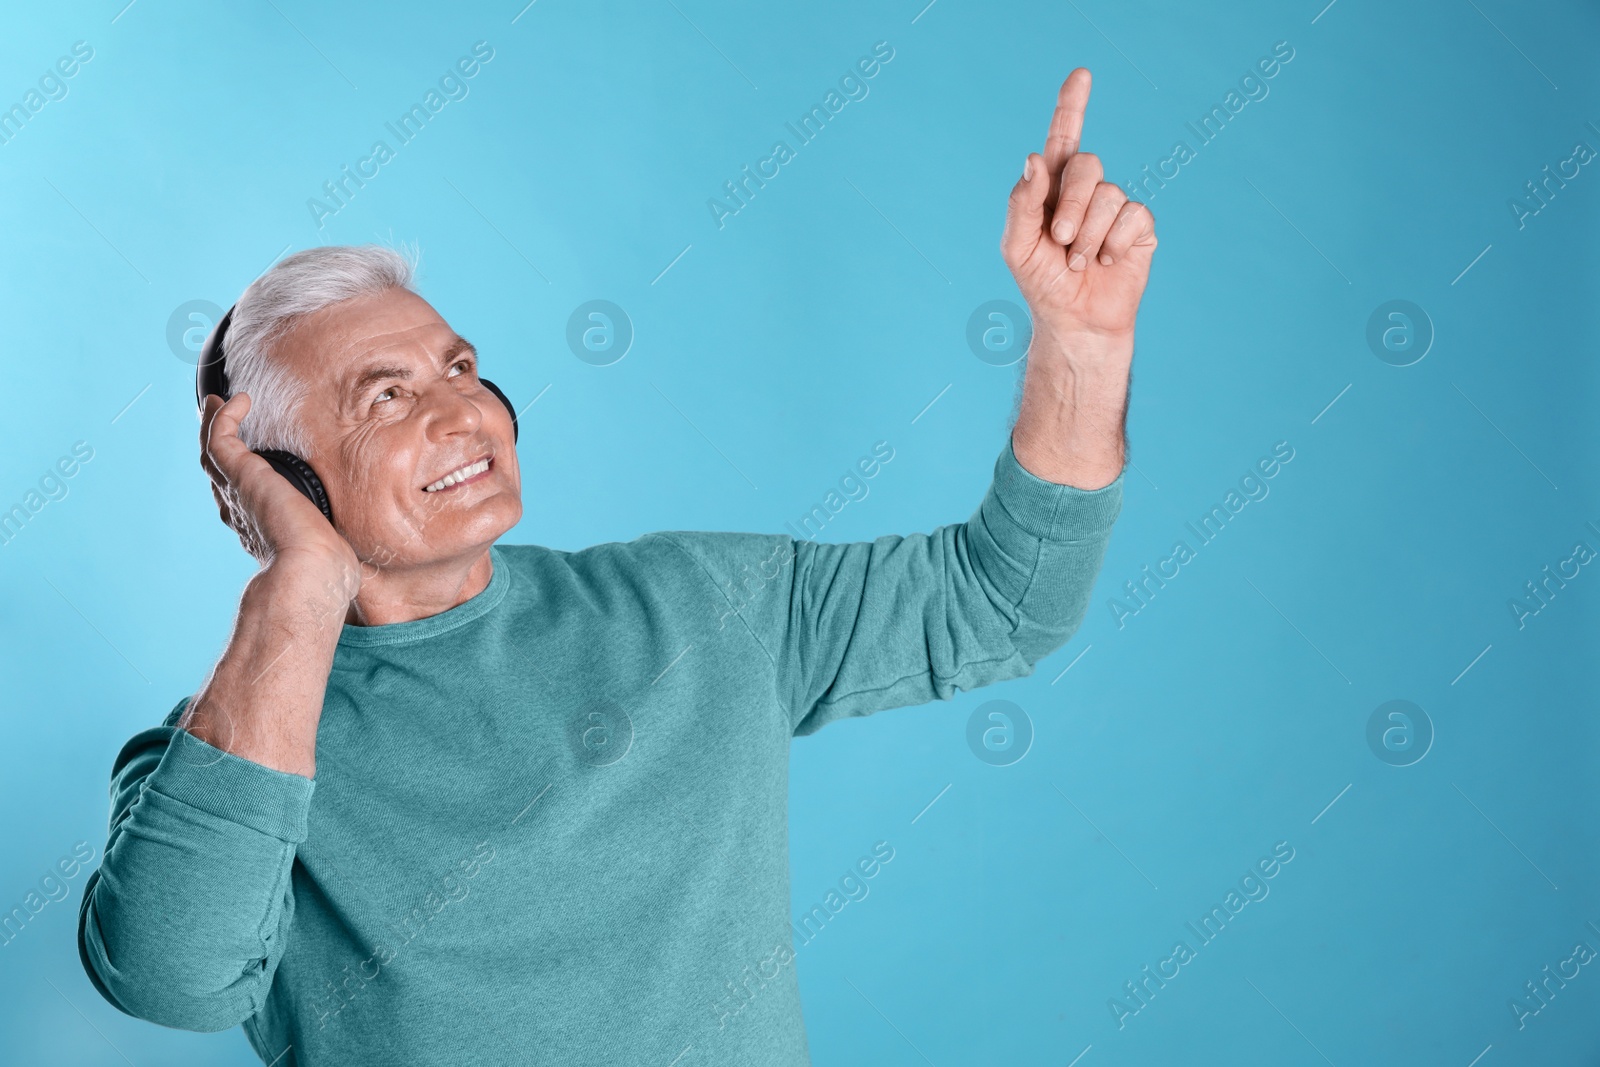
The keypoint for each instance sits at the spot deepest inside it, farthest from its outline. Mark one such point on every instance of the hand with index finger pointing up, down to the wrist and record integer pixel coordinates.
(1078, 247)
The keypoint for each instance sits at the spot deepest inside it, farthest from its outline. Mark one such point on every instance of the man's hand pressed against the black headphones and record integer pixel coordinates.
(273, 519)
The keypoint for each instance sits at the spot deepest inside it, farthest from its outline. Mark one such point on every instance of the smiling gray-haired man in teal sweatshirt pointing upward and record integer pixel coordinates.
(452, 802)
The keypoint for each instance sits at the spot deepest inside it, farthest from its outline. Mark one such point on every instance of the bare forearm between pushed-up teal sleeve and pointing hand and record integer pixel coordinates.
(1071, 428)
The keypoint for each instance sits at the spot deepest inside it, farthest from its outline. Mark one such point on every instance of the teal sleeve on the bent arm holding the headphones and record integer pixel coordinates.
(190, 913)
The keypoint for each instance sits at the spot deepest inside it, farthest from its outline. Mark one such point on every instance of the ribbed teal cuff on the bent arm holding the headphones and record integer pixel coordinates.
(231, 788)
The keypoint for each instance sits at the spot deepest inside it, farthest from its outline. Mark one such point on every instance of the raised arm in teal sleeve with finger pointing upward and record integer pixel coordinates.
(850, 629)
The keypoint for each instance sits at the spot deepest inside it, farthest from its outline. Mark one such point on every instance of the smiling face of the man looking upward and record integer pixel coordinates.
(396, 406)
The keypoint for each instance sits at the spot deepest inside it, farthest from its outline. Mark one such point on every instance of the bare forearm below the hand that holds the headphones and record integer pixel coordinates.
(265, 697)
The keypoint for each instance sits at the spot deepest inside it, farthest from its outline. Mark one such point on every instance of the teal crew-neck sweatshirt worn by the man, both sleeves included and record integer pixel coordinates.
(550, 826)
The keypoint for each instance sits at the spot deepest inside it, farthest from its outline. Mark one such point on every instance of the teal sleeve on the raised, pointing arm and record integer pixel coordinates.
(854, 629)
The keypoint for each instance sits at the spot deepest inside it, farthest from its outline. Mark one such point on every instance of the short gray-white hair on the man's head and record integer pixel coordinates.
(297, 287)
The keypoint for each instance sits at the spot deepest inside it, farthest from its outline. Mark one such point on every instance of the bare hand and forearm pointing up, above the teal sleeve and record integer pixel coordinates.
(1081, 254)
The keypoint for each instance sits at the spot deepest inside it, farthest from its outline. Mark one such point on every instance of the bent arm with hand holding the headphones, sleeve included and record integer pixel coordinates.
(190, 913)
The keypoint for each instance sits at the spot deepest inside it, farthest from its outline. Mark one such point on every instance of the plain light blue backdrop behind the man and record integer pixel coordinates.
(826, 316)
